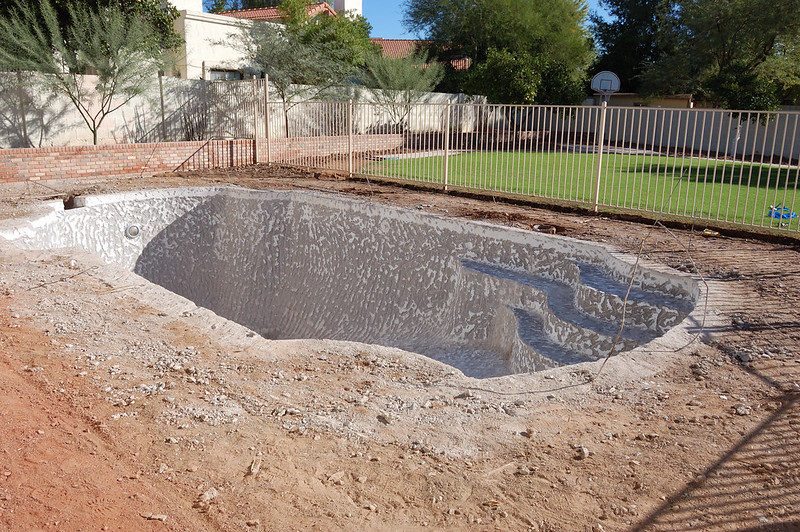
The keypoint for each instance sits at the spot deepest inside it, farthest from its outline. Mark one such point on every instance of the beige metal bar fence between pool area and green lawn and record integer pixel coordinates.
(709, 166)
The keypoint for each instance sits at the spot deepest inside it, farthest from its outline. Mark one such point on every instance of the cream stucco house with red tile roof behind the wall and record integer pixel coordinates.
(207, 53)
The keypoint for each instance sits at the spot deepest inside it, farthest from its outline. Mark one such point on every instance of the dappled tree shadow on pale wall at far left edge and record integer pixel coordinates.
(28, 117)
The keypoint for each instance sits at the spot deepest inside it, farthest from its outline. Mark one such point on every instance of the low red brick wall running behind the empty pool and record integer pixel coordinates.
(134, 160)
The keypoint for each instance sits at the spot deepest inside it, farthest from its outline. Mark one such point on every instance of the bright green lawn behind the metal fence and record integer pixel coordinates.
(727, 191)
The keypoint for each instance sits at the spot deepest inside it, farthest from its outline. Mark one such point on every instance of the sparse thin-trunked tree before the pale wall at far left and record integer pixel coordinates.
(117, 48)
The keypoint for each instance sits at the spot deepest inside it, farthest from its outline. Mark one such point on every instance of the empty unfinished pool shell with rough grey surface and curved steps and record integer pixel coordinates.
(486, 299)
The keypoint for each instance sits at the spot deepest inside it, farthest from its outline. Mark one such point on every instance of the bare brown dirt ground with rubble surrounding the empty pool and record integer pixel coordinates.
(121, 411)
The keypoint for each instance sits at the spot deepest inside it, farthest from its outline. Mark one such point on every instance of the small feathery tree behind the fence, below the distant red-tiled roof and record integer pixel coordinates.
(398, 83)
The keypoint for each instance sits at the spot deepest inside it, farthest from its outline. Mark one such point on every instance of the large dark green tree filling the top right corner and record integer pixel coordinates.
(730, 53)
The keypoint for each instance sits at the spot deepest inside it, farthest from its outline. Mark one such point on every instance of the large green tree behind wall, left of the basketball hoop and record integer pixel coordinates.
(539, 33)
